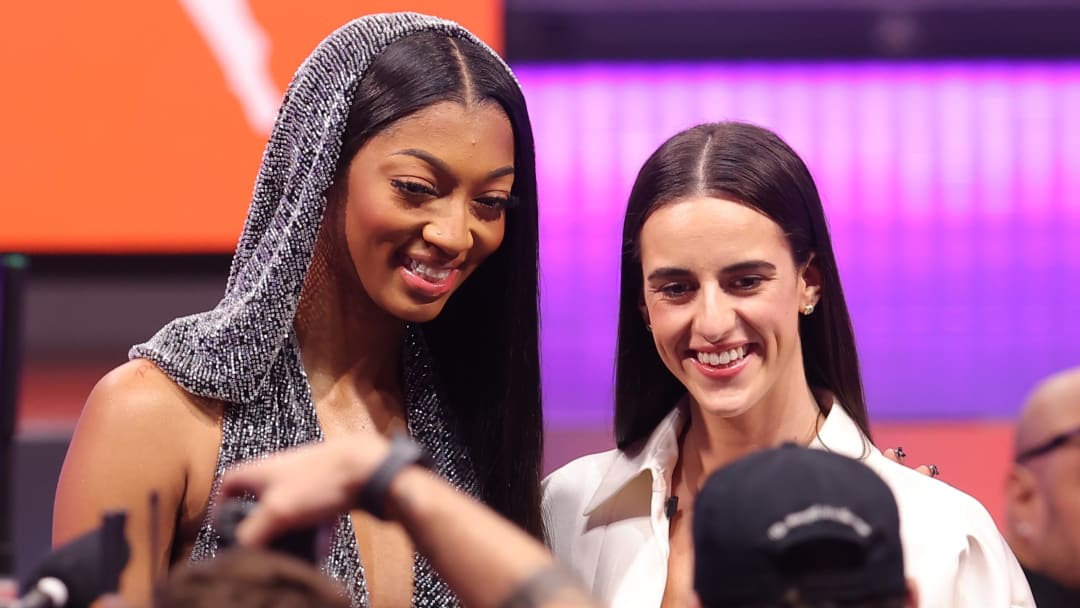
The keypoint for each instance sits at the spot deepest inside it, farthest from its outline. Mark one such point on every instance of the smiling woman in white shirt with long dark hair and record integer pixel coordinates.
(734, 335)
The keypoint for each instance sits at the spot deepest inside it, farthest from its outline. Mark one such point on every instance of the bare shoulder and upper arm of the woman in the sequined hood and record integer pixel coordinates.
(136, 436)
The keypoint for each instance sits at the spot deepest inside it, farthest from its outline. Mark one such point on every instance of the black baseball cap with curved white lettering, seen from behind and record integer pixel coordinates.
(794, 523)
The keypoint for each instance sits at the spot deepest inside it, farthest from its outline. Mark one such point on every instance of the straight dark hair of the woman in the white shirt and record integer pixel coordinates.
(754, 167)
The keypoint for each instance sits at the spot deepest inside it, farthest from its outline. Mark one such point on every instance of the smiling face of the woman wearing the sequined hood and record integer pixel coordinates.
(426, 205)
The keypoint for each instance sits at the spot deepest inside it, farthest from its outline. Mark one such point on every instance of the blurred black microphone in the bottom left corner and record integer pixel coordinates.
(83, 571)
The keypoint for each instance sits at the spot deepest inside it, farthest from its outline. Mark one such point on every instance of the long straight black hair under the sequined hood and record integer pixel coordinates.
(485, 343)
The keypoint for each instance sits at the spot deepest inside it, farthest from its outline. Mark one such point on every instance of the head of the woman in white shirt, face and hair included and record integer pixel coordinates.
(725, 246)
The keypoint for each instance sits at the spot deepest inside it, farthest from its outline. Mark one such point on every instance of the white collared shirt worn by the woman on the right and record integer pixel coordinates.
(605, 520)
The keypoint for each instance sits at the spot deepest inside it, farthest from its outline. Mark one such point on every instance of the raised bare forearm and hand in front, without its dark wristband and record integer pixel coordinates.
(487, 560)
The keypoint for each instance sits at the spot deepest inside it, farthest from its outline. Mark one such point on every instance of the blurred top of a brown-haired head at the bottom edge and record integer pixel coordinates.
(250, 578)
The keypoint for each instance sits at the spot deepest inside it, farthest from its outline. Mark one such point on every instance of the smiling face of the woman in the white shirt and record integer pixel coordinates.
(723, 296)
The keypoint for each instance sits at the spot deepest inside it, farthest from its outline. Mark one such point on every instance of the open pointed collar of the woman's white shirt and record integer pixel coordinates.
(658, 455)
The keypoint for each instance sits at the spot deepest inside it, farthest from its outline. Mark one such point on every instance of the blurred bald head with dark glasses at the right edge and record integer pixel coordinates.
(1043, 491)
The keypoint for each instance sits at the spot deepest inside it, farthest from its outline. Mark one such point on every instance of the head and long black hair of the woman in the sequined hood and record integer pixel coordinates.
(434, 214)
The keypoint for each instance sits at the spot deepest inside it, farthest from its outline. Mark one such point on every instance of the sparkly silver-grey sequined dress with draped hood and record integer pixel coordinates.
(245, 352)
